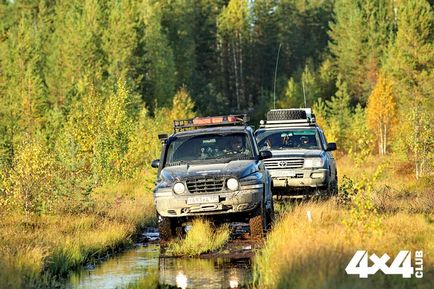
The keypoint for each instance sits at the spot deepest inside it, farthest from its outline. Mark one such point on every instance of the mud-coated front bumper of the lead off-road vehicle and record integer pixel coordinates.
(169, 204)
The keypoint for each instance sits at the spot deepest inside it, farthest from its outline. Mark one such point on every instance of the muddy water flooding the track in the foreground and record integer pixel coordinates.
(135, 264)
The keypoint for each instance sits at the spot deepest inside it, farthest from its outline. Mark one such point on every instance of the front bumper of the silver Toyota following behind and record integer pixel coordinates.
(300, 178)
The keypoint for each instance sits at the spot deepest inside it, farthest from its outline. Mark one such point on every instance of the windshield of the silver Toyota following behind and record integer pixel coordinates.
(288, 139)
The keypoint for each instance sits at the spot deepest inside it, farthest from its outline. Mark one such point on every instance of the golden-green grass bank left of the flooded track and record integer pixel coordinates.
(36, 251)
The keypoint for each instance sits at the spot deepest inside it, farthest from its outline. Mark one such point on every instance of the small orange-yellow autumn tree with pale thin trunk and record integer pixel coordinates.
(381, 112)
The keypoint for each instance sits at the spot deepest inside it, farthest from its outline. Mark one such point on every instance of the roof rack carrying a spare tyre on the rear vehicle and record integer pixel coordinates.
(291, 117)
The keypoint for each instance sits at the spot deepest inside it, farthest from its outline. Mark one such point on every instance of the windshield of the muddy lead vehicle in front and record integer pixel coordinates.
(209, 147)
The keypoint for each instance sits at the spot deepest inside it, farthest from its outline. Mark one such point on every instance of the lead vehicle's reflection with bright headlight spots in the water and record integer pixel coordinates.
(204, 273)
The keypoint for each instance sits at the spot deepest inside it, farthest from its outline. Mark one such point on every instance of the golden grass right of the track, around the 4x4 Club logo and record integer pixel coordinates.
(390, 212)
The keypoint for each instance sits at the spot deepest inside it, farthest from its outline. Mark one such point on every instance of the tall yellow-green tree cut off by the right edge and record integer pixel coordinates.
(411, 66)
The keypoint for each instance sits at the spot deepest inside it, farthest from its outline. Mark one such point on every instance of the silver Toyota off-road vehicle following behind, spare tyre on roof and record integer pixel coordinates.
(302, 162)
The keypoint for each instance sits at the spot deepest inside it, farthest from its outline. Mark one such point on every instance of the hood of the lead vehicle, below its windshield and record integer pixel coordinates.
(236, 168)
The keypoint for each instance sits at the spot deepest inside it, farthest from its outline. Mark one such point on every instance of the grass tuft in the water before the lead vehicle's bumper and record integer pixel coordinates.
(201, 238)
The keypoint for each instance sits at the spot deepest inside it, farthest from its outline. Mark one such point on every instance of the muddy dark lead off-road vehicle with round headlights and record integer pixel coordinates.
(212, 167)
